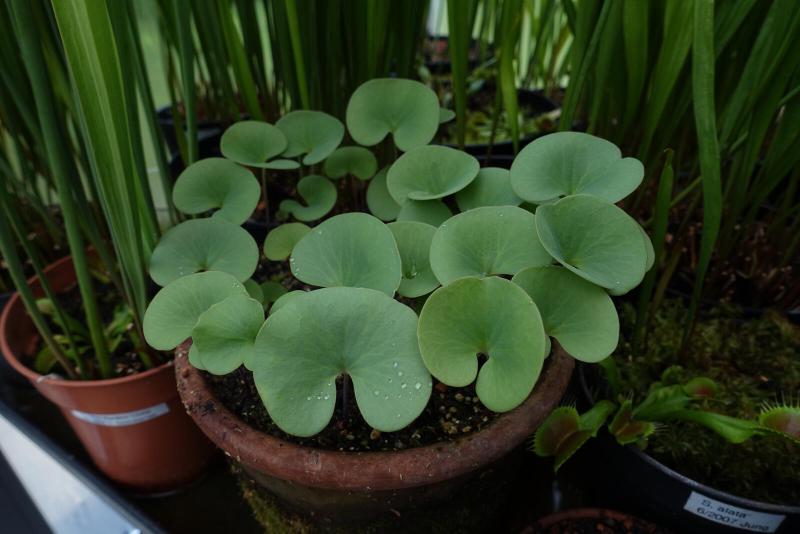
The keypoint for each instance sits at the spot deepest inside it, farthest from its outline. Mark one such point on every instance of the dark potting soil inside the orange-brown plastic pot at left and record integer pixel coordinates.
(125, 360)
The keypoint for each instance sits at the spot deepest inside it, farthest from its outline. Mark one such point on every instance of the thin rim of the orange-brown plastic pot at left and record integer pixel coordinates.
(36, 378)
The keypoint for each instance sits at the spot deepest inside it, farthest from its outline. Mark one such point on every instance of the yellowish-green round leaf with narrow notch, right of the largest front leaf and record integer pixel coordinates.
(489, 316)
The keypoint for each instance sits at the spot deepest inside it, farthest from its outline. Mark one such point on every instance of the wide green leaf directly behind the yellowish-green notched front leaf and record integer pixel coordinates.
(486, 241)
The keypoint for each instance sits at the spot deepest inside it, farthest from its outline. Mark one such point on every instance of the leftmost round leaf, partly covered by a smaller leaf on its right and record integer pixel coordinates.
(173, 312)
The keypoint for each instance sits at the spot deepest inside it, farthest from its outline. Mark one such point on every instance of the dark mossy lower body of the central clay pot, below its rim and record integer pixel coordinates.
(473, 508)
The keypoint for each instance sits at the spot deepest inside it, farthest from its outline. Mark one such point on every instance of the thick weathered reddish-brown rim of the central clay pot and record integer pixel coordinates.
(344, 470)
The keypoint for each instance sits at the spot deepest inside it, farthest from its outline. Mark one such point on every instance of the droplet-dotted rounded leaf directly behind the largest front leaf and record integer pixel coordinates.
(353, 250)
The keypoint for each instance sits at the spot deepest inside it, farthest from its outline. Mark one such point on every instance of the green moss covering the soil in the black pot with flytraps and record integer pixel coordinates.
(755, 362)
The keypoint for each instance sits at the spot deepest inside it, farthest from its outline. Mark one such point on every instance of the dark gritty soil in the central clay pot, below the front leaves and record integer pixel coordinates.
(450, 414)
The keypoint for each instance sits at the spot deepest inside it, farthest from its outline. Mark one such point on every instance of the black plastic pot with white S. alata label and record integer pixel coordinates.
(638, 479)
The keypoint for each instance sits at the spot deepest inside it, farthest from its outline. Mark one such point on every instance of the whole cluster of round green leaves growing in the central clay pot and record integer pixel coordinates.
(410, 293)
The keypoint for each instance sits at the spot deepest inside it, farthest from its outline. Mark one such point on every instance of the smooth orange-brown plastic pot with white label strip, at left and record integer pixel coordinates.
(134, 427)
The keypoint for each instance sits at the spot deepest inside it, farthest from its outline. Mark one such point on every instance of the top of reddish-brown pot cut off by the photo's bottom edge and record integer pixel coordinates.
(593, 520)
